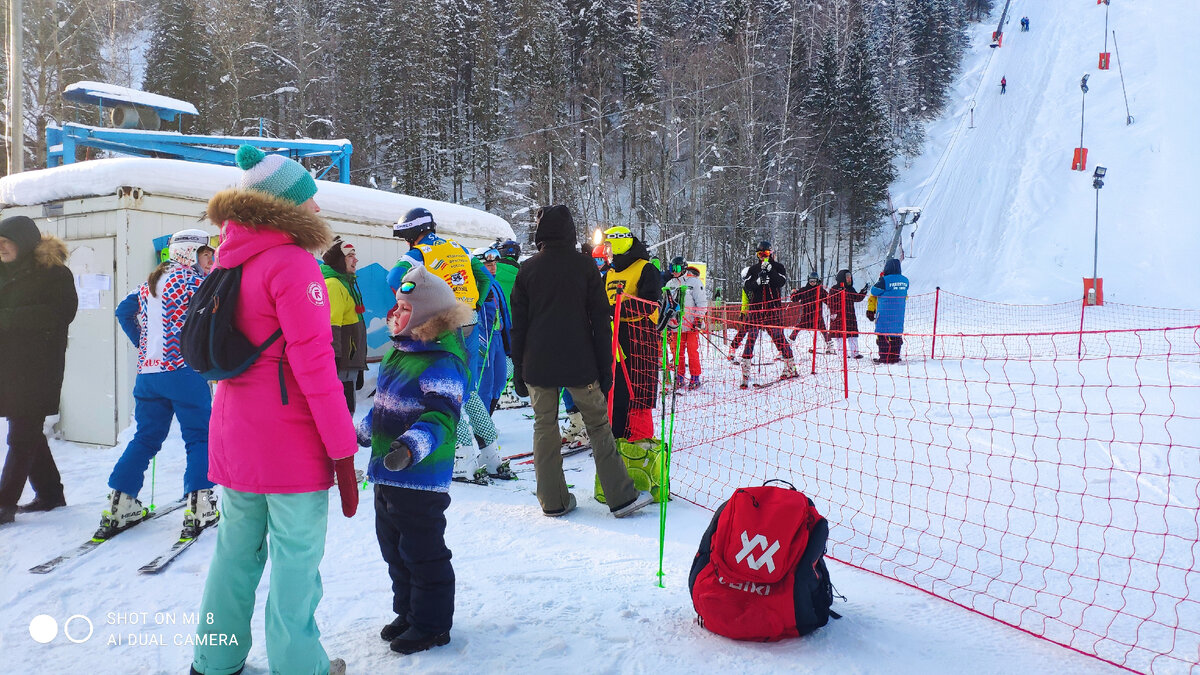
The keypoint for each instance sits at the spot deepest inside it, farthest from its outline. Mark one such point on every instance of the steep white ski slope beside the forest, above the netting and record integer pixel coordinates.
(1006, 219)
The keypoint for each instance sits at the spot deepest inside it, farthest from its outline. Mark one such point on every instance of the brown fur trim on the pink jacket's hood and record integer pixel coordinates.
(259, 211)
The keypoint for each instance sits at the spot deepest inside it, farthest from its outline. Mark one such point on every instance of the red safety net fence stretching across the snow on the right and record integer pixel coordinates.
(1040, 465)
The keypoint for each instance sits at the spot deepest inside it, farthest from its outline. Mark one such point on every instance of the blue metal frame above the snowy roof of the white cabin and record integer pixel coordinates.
(62, 146)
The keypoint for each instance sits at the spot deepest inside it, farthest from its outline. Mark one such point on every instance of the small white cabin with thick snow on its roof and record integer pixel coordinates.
(111, 212)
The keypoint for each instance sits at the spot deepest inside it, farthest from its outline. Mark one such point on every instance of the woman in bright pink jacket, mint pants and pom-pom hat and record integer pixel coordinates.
(279, 432)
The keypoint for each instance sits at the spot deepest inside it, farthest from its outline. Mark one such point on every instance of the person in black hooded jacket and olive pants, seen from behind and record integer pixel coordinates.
(561, 337)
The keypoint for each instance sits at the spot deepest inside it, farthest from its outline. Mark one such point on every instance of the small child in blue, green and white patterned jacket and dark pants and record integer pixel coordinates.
(411, 433)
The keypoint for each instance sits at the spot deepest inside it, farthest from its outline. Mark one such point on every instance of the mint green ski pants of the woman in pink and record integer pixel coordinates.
(296, 527)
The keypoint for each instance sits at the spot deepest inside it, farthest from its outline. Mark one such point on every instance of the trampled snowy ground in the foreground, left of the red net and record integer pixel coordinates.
(575, 595)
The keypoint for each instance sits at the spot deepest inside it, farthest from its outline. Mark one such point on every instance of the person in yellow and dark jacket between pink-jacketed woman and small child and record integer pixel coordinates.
(340, 266)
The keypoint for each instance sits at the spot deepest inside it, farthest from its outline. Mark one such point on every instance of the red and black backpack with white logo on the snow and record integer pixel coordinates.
(760, 572)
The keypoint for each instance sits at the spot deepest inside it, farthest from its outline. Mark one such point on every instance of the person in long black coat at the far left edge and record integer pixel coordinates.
(38, 302)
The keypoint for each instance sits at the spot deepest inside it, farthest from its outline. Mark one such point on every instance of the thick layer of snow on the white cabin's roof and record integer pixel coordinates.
(197, 181)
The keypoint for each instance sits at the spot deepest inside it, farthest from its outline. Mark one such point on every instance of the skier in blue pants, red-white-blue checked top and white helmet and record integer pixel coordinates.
(153, 316)
